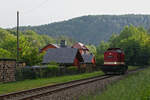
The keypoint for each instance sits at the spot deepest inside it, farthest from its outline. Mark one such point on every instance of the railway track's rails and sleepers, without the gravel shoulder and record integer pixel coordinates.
(36, 93)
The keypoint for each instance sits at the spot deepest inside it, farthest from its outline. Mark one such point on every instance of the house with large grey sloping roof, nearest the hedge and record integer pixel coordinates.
(63, 56)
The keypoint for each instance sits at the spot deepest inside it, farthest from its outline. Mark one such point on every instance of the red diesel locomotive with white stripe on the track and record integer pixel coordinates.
(114, 61)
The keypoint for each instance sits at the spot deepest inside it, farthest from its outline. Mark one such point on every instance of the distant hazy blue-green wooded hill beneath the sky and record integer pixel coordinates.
(91, 29)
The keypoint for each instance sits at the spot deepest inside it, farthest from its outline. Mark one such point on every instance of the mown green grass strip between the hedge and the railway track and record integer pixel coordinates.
(28, 84)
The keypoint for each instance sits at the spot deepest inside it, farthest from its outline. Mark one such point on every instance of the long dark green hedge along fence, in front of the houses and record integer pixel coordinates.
(48, 71)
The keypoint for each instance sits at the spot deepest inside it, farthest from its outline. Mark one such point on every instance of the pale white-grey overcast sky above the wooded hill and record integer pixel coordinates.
(38, 12)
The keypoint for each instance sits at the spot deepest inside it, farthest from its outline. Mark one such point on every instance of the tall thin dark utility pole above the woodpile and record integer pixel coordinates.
(17, 36)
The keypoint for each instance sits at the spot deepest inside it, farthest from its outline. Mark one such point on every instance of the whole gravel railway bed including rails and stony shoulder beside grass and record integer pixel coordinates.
(67, 91)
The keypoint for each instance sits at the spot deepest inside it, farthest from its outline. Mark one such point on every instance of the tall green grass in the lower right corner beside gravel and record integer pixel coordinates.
(133, 87)
